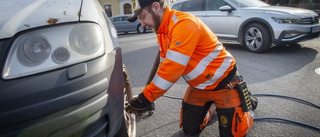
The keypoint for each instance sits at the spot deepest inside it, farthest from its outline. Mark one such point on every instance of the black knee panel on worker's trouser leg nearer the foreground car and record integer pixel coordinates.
(192, 117)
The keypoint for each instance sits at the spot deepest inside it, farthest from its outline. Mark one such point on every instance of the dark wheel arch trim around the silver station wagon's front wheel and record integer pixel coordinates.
(244, 25)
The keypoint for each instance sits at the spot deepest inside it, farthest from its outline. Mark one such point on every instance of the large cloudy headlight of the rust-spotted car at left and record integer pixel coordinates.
(53, 47)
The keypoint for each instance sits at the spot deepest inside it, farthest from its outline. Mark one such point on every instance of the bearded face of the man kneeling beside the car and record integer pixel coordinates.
(150, 19)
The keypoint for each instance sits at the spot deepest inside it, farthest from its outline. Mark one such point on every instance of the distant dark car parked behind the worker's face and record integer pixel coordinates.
(122, 25)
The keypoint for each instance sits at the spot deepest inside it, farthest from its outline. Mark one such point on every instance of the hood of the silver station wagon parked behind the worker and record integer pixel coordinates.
(299, 12)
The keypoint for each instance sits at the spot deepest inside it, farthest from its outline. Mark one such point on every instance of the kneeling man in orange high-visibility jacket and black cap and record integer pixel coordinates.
(191, 50)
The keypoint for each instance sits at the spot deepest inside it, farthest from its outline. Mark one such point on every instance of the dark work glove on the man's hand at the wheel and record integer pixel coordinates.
(139, 105)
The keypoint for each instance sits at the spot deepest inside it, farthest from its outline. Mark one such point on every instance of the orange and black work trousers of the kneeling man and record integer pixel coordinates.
(232, 121)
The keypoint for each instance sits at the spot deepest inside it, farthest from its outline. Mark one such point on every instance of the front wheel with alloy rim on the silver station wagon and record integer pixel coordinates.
(256, 38)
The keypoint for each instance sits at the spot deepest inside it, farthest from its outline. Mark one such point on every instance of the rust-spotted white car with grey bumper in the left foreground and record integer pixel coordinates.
(61, 71)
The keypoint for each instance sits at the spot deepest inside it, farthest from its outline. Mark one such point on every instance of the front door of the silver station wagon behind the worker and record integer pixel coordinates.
(222, 23)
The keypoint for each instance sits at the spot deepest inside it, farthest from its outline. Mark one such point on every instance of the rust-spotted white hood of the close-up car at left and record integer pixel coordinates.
(19, 15)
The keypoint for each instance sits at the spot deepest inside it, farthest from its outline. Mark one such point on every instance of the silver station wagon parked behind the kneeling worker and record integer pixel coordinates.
(253, 23)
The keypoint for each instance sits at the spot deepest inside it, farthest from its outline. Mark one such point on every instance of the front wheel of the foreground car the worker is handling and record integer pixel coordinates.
(128, 127)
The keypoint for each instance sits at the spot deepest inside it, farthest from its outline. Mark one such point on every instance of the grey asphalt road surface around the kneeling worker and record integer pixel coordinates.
(288, 71)
